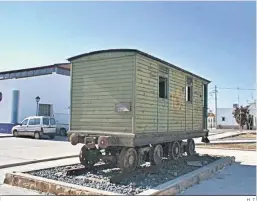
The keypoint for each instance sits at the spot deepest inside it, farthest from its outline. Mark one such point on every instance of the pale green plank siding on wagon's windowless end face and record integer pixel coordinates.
(98, 83)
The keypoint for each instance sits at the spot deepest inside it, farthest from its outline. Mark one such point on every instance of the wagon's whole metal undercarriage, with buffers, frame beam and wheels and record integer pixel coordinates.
(130, 151)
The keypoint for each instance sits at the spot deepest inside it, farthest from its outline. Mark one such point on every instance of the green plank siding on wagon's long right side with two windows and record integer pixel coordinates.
(154, 115)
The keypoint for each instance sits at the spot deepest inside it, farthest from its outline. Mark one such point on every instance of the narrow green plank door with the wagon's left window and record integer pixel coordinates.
(163, 100)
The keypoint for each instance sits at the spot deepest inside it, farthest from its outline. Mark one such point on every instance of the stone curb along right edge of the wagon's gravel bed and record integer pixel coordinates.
(183, 182)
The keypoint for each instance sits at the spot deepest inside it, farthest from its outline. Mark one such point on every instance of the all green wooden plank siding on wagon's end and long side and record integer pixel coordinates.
(100, 81)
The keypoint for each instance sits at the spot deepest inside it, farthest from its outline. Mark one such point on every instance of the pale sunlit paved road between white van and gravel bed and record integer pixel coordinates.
(17, 150)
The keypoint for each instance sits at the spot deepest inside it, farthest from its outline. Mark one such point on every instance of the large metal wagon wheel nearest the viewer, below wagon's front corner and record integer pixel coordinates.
(128, 160)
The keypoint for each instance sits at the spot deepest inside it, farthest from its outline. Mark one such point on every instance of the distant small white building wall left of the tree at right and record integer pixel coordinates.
(229, 119)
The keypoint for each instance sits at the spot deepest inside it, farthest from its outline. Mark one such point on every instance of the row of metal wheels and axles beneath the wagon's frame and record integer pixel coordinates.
(129, 158)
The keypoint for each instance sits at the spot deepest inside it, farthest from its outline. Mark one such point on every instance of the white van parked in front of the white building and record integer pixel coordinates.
(36, 126)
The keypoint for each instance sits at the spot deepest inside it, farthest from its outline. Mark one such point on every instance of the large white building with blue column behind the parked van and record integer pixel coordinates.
(19, 88)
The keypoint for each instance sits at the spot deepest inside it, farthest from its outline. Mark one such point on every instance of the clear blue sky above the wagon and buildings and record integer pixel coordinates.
(213, 39)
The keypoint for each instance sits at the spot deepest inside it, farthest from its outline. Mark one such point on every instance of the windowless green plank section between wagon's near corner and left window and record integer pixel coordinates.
(146, 110)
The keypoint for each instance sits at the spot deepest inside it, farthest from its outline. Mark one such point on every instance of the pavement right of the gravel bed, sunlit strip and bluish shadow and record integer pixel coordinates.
(237, 179)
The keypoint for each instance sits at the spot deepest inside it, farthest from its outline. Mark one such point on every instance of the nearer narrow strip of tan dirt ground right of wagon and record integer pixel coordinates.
(236, 146)
